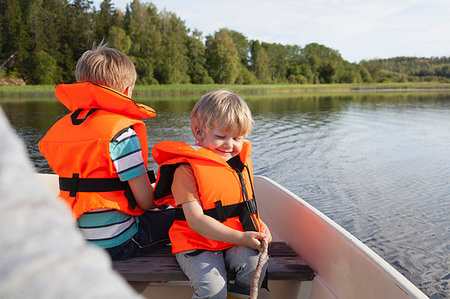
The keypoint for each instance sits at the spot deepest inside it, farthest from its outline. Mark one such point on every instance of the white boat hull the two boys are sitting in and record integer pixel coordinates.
(344, 266)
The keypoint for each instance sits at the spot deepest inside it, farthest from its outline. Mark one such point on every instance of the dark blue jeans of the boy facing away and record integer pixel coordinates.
(153, 233)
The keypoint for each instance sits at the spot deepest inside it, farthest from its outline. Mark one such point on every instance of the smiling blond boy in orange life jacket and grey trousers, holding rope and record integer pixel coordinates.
(217, 228)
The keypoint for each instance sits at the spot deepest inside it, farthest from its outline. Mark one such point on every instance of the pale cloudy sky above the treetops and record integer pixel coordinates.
(357, 29)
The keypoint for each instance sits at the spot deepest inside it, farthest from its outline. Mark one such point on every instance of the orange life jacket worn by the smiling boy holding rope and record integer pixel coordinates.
(225, 193)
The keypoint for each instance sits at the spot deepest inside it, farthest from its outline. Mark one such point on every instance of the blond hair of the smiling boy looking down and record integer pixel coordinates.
(222, 109)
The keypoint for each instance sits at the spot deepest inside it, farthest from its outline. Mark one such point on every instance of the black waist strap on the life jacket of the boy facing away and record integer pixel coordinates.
(76, 184)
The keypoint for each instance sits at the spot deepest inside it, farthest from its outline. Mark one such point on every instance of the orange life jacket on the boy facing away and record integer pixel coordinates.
(77, 146)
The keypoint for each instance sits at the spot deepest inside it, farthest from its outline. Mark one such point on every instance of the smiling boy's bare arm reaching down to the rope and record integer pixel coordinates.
(213, 229)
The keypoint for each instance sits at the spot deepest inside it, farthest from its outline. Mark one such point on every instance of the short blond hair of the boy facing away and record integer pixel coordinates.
(106, 66)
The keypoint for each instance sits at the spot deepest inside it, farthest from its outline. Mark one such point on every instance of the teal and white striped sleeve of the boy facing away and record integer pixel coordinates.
(126, 154)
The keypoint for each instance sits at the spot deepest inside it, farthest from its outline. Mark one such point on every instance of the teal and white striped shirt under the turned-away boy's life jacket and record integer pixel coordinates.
(108, 228)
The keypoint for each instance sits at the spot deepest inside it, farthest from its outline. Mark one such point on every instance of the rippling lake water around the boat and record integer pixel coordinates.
(378, 164)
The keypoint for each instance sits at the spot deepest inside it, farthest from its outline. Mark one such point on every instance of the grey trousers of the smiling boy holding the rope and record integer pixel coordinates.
(207, 270)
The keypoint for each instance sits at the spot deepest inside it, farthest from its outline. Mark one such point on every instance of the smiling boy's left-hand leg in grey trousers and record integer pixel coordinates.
(206, 272)
